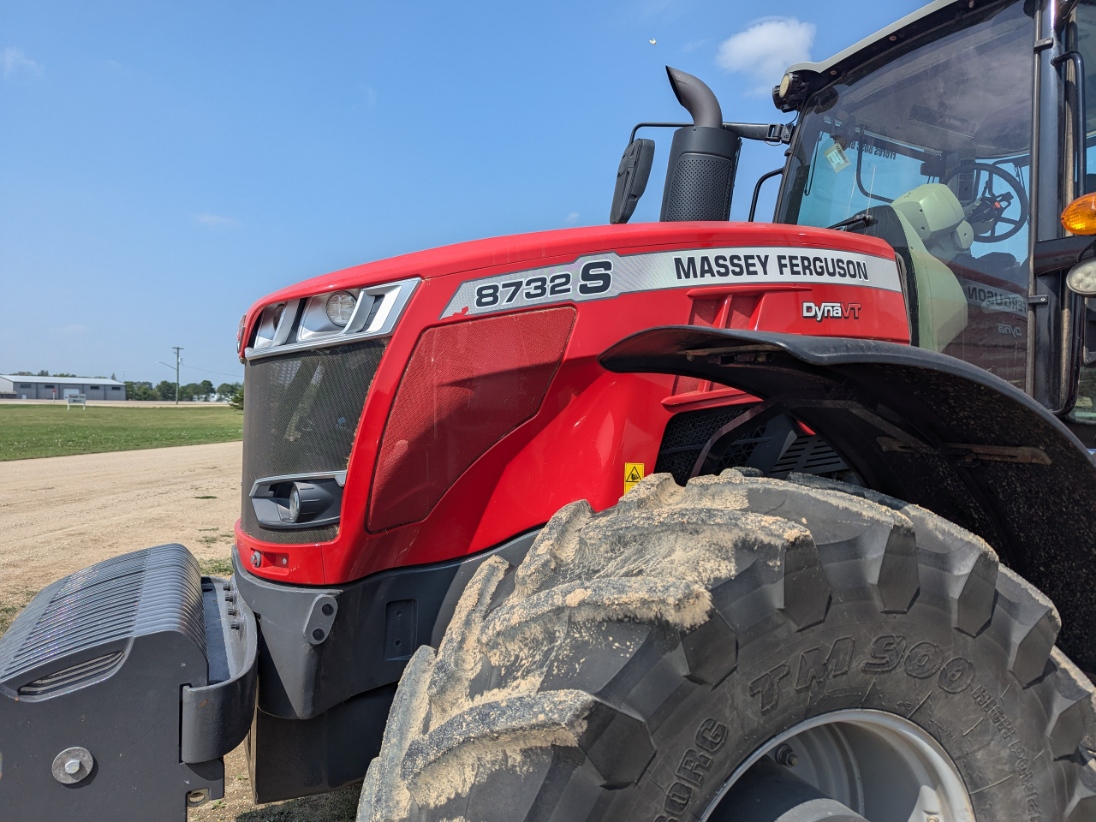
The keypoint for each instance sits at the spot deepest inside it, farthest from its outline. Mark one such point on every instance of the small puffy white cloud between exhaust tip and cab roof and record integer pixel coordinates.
(766, 50)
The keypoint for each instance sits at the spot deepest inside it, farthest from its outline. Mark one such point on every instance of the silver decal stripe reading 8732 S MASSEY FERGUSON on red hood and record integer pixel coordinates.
(602, 277)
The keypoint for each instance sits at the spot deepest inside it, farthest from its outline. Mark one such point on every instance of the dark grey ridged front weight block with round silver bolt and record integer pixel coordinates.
(121, 689)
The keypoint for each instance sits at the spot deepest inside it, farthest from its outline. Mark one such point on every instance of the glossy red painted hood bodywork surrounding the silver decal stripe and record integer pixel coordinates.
(579, 426)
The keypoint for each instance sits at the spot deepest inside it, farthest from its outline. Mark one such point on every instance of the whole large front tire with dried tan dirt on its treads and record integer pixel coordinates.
(640, 656)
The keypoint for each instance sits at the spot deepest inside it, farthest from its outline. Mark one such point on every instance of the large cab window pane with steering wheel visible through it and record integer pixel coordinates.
(934, 146)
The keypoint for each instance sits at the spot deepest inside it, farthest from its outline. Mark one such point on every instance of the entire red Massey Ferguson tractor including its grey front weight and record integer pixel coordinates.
(686, 521)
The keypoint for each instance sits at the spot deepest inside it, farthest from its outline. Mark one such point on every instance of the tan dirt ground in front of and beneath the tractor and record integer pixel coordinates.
(60, 515)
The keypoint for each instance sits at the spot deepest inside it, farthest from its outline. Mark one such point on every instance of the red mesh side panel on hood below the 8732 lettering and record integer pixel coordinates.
(466, 386)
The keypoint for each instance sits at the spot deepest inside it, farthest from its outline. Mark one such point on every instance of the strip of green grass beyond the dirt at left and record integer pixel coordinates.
(56, 431)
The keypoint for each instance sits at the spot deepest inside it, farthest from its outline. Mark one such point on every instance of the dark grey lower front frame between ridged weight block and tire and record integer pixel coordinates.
(329, 663)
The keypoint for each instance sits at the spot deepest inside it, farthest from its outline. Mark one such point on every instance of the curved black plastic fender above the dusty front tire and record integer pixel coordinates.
(924, 428)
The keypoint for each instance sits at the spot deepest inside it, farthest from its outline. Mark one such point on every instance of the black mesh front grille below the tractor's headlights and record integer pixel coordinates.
(301, 413)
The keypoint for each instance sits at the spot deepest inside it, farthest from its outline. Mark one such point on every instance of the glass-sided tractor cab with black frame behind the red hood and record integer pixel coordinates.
(958, 140)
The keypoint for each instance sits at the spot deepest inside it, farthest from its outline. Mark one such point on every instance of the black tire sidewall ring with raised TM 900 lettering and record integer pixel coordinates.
(912, 666)
